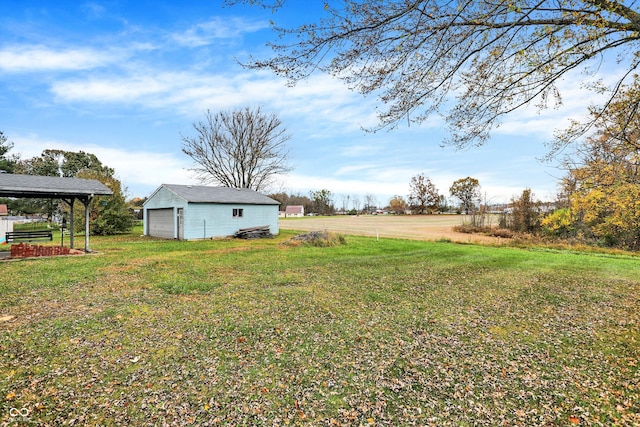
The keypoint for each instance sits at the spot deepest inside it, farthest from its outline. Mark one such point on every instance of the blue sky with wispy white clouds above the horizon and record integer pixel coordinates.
(125, 79)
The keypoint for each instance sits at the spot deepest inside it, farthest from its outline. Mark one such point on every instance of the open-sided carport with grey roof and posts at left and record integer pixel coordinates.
(49, 187)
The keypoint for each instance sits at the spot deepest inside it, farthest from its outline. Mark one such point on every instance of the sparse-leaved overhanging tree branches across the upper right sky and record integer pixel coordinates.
(492, 57)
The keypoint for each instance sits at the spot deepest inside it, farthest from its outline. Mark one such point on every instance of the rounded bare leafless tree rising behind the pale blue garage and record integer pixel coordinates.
(243, 148)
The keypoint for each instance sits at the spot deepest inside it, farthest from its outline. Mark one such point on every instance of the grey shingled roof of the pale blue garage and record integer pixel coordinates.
(225, 195)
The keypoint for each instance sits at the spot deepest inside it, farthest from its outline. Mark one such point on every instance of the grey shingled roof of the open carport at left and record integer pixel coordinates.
(51, 187)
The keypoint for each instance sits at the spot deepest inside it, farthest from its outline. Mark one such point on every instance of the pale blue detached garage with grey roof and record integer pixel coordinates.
(187, 212)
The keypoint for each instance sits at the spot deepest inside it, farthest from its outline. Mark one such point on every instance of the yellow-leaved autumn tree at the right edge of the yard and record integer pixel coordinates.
(603, 177)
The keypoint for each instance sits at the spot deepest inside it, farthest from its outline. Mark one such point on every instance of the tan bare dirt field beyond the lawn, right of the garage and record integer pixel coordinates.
(420, 227)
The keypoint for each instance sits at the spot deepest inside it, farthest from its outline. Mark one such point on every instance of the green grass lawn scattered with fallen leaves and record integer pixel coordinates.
(389, 332)
